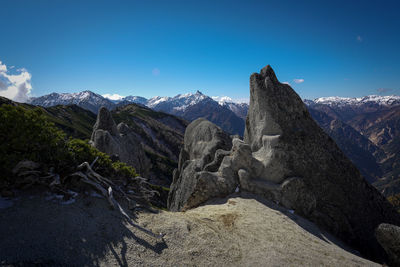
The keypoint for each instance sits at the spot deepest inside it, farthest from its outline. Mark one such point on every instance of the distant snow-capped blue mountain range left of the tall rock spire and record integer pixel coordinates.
(228, 115)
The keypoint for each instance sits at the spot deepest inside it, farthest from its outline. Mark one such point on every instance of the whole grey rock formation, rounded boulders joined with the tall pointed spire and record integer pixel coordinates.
(287, 158)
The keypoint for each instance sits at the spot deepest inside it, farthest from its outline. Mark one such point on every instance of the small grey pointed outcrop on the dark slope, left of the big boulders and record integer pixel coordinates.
(119, 142)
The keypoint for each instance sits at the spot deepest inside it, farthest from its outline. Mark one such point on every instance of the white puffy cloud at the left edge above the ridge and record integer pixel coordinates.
(15, 86)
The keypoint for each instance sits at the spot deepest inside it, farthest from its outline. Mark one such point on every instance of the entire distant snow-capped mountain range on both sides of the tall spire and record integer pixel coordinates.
(367, 129)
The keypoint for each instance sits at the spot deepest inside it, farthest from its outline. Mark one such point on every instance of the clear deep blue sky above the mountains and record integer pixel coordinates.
(148, 48)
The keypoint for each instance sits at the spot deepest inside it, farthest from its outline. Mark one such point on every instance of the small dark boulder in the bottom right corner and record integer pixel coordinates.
(389, 237)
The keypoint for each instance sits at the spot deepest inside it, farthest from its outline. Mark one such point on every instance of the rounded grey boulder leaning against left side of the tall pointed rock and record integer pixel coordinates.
(193, 183)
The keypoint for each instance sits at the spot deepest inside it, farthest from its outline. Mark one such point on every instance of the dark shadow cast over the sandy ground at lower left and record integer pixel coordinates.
(40, 231)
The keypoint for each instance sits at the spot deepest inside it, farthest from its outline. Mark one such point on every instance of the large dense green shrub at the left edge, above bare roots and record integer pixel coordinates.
(27, 134)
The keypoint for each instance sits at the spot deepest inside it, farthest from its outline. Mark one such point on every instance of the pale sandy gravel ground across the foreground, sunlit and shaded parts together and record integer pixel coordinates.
(240, 230)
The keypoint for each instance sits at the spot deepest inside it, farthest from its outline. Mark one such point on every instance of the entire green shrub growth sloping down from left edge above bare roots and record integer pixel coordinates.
(28, 135)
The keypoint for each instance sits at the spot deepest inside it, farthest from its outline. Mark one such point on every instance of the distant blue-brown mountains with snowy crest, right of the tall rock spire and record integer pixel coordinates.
(367, 130)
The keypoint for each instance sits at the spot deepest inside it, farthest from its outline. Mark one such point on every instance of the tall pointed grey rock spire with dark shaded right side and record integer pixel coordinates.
(339, 197)
